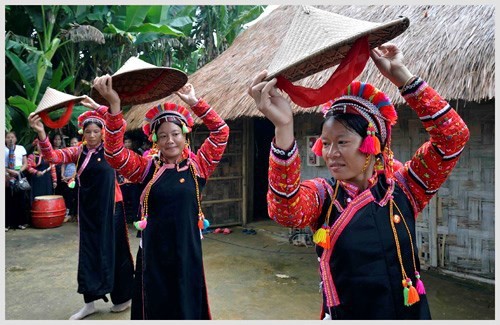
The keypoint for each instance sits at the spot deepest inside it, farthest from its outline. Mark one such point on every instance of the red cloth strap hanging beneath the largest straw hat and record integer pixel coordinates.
(350, 67)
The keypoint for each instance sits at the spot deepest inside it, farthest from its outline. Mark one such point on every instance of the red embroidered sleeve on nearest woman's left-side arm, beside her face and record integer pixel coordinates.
(290, 202)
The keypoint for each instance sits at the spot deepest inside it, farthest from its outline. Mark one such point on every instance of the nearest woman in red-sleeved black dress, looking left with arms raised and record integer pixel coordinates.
(364, 216)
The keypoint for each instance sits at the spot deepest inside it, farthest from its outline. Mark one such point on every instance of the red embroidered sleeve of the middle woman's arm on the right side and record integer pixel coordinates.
(210, 152)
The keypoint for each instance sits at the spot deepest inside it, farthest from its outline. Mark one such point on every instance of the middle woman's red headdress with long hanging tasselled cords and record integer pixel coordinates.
(168, 112)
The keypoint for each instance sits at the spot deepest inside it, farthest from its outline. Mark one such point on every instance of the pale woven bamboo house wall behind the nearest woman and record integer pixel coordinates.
(456, 230)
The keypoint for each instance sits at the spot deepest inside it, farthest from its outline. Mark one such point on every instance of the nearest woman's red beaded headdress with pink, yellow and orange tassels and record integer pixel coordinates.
(376, 108)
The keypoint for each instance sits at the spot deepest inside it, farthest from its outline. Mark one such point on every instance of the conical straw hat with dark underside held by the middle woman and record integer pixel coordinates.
(139, 82)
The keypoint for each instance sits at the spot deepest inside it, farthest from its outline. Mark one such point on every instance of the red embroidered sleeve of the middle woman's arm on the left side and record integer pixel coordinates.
(128, 163)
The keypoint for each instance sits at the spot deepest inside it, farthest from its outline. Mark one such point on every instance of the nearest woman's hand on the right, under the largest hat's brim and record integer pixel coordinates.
(388, 58)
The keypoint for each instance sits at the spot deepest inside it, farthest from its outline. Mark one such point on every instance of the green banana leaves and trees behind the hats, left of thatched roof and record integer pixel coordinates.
(46, 46)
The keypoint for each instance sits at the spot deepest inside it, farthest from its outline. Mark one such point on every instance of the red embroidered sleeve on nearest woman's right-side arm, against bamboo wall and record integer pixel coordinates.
(435, 159)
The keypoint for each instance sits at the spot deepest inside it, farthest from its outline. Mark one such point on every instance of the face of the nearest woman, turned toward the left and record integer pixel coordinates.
(341, 152)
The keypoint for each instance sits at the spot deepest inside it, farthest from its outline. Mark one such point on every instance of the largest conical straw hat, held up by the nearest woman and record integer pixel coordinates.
(319, 39)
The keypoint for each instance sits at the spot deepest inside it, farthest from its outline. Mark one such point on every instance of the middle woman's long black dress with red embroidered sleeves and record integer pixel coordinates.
(169, 276)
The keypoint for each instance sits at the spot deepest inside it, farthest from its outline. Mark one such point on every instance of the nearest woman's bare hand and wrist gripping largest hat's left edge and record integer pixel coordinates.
(275, 107)
